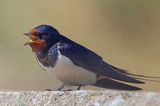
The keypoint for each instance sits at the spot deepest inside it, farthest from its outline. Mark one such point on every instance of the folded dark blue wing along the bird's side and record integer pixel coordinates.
(87, 59)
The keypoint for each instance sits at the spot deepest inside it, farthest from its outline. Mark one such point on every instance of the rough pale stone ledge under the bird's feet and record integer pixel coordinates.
(79, 98)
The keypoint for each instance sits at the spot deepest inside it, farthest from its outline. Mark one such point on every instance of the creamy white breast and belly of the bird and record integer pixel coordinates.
(70, 74)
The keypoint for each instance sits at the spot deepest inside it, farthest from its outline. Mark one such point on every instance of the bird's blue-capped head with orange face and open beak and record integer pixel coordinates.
(43, 36)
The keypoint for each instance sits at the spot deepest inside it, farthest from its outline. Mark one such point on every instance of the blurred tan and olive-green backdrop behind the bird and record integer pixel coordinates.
(126, 33)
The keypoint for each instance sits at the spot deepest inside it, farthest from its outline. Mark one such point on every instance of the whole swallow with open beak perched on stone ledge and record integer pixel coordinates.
(76, 65)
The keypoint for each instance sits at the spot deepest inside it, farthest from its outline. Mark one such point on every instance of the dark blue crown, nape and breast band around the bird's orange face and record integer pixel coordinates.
(48, 55)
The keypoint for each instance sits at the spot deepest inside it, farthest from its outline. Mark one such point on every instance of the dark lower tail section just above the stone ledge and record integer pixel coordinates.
(112, 84)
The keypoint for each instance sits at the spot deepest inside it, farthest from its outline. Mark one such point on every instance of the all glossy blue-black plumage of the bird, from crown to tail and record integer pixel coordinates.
(81, 57)
